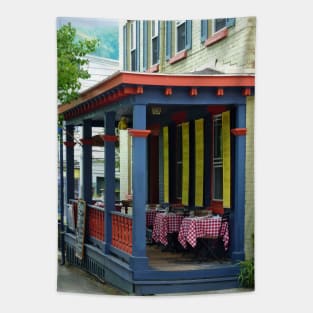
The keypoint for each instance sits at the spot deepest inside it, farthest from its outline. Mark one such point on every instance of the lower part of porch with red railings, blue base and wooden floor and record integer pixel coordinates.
(167, 271)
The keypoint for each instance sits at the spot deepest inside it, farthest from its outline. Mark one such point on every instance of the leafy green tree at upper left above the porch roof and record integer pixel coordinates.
(71, 60)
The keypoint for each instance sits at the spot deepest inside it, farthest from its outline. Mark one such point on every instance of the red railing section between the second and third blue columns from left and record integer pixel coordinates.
(95, 222)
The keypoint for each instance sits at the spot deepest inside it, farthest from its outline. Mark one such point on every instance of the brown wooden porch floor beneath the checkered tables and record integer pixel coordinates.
(161, 259)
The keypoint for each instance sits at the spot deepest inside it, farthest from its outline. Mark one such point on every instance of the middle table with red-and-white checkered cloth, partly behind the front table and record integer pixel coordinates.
(165, 223)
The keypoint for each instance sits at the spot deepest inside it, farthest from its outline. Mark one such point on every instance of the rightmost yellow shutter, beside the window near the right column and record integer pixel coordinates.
(226, 158)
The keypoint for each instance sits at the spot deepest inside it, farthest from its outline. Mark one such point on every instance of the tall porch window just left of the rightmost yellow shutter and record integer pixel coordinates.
(217, 158)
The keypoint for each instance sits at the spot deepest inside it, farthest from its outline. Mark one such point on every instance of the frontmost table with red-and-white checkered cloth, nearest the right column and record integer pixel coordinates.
(201, 227)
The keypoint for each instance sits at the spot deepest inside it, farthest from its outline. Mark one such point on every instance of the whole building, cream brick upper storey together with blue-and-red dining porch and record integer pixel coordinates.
(181, 114)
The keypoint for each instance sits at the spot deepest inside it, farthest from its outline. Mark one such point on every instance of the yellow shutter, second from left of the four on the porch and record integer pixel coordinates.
(185, 160)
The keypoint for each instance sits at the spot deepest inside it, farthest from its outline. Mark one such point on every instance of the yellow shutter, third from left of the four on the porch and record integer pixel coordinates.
(199, 162)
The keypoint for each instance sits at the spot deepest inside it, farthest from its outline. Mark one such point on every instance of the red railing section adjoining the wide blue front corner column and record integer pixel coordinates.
(122, 232)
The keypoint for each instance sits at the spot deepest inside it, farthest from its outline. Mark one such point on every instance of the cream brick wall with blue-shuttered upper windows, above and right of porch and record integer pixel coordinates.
(216, 46)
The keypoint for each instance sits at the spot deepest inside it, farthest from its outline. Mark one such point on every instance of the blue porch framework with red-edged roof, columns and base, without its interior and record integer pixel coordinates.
(120, 254)
